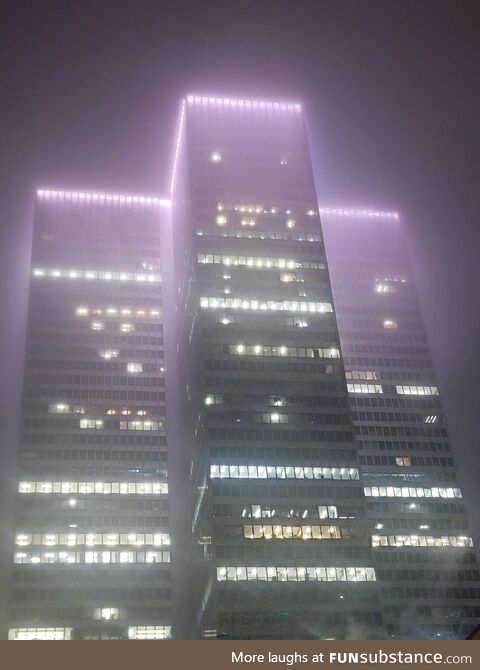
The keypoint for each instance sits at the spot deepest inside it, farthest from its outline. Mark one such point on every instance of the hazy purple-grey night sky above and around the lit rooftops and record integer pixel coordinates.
(391, 91)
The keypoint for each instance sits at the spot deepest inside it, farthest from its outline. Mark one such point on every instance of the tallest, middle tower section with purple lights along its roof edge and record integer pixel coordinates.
(277, 517)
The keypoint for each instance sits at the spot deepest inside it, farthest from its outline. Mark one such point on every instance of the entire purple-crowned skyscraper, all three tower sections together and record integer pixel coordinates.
(315, 485)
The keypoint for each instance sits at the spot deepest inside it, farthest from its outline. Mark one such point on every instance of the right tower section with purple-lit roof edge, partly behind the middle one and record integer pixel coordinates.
(423, 556)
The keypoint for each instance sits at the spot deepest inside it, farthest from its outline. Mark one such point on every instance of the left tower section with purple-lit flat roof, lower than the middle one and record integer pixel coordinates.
(92, 537)
